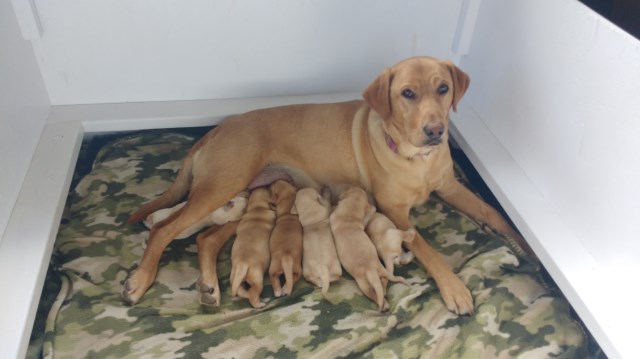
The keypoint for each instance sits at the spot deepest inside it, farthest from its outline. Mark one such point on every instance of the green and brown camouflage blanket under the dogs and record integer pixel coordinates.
(517, 313)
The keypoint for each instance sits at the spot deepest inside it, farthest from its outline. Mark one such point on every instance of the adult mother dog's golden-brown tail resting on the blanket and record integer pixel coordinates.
(173, 195)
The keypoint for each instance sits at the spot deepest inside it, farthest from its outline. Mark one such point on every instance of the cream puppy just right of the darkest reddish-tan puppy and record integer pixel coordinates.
(320, 263)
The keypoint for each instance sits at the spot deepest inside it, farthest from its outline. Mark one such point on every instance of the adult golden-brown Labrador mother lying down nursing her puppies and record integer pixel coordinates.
(393, 144)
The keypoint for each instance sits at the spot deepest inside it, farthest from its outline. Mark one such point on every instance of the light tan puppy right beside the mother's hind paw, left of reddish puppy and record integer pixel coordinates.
(250, 251)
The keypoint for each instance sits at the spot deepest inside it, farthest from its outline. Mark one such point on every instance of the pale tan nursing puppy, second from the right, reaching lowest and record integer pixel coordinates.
(355, 249)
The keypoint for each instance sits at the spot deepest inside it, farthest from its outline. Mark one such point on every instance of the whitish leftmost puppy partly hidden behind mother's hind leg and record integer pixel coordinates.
(230, 212)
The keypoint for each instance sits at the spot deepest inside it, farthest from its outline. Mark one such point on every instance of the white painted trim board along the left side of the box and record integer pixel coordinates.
(25, 248)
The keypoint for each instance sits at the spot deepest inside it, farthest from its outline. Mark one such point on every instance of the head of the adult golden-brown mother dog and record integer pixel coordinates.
(413, 98)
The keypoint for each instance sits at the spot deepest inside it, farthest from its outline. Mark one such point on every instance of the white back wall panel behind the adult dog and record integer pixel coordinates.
(156, 50)
